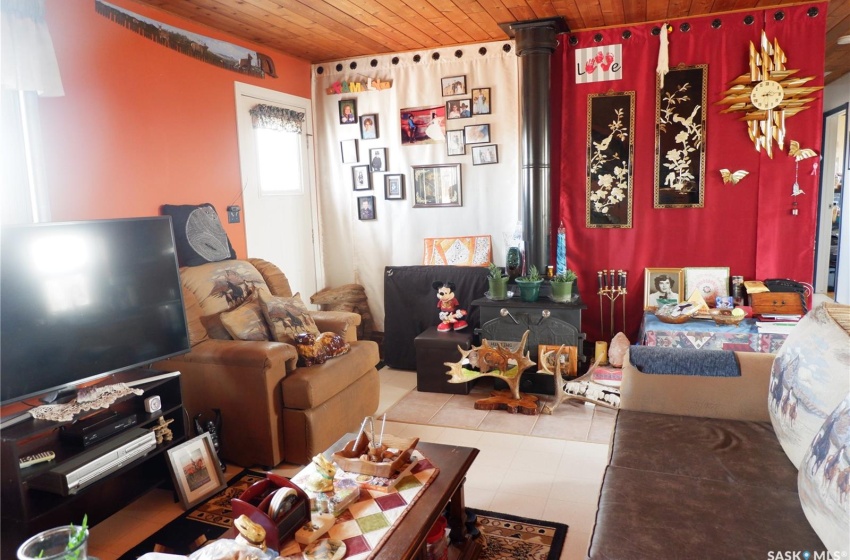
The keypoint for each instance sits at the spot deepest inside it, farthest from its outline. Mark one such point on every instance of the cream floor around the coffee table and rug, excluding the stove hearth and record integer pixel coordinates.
(555, 478)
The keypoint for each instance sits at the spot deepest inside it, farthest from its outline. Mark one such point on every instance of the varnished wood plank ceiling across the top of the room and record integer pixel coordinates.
(329, 30)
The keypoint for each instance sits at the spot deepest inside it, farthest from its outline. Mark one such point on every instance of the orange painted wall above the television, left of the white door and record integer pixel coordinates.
(142, 125)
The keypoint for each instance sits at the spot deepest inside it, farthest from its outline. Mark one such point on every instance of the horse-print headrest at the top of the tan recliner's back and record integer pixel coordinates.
(222, 286)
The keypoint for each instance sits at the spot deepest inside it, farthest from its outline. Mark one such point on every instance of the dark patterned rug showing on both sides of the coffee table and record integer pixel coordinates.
(505, 537)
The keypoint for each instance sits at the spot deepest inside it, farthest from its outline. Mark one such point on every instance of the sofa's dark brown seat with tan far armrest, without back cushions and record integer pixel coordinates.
(695, 471)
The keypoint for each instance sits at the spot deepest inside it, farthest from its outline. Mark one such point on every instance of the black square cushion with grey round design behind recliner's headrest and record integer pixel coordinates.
(198, 234)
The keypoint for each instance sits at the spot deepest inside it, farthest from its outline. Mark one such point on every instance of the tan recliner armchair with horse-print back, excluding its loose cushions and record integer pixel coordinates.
(272, 410)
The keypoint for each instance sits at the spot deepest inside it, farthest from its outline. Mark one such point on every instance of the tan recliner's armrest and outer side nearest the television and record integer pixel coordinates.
(243, 380)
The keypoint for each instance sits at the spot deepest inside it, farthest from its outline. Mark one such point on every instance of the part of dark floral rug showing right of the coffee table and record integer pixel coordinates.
(507, 537)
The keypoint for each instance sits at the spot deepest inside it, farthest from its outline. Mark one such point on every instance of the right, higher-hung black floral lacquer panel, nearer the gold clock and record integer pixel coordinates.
(679, 138)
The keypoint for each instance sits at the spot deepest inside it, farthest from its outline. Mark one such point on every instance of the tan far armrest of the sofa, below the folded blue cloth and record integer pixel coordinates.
(731, 398)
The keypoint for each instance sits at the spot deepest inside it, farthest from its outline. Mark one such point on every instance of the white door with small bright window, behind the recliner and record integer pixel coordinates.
(279, 192)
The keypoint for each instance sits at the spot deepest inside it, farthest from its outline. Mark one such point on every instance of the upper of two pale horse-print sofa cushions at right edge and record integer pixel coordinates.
(809, 378)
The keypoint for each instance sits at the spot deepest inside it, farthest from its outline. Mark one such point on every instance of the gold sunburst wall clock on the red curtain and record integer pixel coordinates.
(768, 95)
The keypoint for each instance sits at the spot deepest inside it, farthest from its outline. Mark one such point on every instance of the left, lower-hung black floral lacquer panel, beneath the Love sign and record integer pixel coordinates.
(610, 150)
